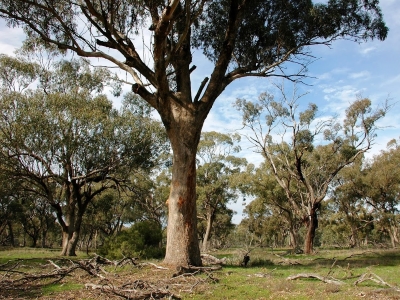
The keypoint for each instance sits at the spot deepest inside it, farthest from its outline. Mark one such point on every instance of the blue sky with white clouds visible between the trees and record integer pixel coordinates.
(339, 74)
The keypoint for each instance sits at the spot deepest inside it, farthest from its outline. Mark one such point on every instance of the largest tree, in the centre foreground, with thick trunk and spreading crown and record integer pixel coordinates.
(242, 38)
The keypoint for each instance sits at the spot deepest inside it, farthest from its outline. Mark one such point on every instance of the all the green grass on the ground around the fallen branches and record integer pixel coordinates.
(264, 278)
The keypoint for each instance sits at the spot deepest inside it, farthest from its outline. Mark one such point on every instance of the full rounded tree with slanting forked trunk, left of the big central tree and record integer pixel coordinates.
(65, 139)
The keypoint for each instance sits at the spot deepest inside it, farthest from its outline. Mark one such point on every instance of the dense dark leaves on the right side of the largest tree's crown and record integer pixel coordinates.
(269, 30)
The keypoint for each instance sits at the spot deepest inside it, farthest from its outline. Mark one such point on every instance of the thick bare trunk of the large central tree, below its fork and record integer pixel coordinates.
(182, 247)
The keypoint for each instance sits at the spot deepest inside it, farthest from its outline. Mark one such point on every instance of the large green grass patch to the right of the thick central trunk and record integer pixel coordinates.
(267, 273)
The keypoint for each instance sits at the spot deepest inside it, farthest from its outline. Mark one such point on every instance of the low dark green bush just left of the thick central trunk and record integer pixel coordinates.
(141, 239)
